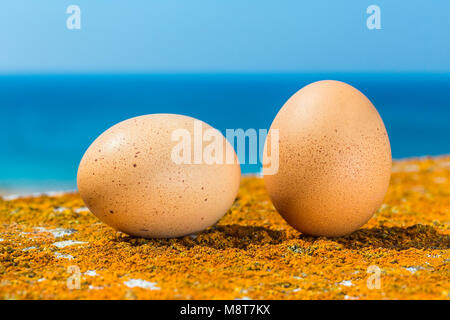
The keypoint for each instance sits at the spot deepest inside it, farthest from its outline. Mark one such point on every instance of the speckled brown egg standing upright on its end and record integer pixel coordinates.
(334, 160)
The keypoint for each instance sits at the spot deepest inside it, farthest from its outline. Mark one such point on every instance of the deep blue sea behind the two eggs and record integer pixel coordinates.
(48, 121)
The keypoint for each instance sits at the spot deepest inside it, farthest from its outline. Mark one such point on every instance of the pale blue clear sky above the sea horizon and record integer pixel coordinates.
(224, 36)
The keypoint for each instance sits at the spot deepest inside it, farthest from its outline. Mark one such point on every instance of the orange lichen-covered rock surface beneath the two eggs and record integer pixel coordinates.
(251, 252)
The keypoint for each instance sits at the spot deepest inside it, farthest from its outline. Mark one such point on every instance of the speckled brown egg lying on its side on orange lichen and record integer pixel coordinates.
(132, 178)
